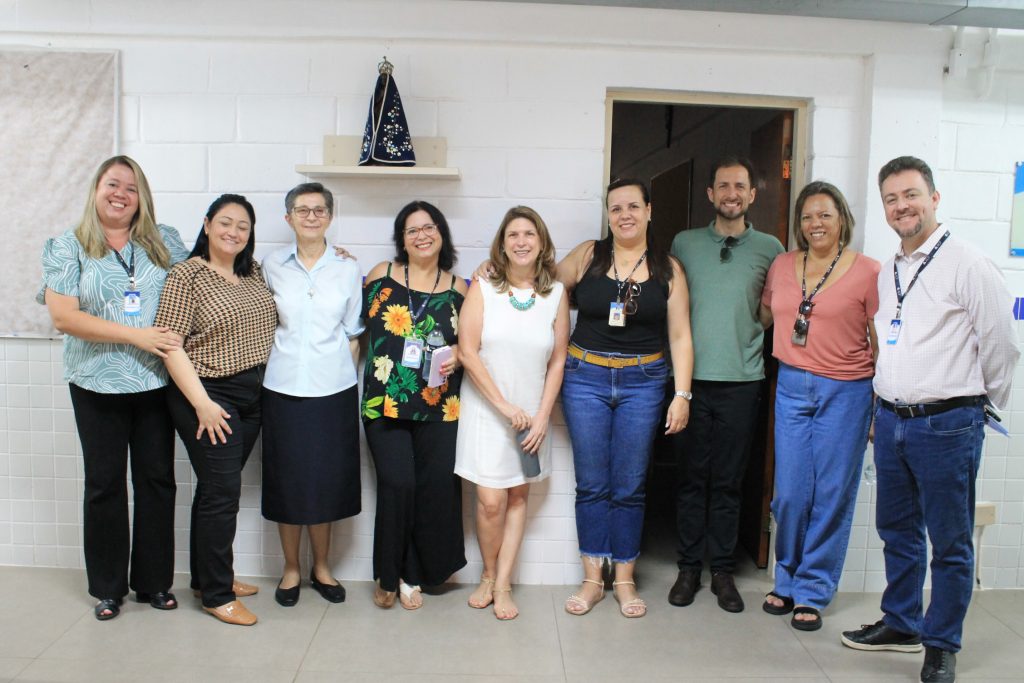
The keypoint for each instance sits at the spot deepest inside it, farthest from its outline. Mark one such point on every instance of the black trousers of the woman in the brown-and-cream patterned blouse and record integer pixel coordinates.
(219, 478)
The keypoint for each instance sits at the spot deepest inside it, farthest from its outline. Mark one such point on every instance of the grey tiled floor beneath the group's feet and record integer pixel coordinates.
(48, 633)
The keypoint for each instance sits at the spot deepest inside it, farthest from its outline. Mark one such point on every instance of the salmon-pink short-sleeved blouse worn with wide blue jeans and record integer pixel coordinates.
(838, 347)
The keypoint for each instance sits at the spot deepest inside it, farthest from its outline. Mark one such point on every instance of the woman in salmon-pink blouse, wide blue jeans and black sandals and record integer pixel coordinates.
(823, 298)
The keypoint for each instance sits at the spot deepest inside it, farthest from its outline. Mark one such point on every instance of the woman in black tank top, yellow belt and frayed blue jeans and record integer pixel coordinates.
(633, 303)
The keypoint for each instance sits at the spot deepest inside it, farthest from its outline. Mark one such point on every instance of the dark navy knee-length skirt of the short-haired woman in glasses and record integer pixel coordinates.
(311, 457)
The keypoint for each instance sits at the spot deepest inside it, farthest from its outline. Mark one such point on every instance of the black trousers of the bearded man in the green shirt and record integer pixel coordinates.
(712, 456)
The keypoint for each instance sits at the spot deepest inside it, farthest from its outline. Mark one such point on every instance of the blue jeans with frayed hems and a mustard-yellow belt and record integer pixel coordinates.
(612, 415)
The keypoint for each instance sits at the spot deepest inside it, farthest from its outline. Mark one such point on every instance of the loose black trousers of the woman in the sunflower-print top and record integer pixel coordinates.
(418, 534)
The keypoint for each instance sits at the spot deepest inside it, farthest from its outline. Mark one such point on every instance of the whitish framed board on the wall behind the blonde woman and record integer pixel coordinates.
(60, 120)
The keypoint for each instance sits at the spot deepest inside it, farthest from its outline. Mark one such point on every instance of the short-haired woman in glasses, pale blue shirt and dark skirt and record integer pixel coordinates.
(311, 399)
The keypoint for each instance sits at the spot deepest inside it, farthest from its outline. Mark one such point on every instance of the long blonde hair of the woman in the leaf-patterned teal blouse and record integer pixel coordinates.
(144, 225)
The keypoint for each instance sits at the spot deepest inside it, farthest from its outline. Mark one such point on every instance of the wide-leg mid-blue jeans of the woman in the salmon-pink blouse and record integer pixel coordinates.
(821, 436)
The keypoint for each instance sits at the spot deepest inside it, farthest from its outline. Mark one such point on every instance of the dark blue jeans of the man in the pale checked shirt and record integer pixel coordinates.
(926, 469)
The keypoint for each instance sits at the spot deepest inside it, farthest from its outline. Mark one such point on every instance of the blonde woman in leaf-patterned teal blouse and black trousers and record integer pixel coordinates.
(102, 283)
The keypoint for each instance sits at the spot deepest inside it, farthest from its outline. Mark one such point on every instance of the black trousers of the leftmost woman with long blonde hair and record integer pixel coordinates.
(112, 429)
